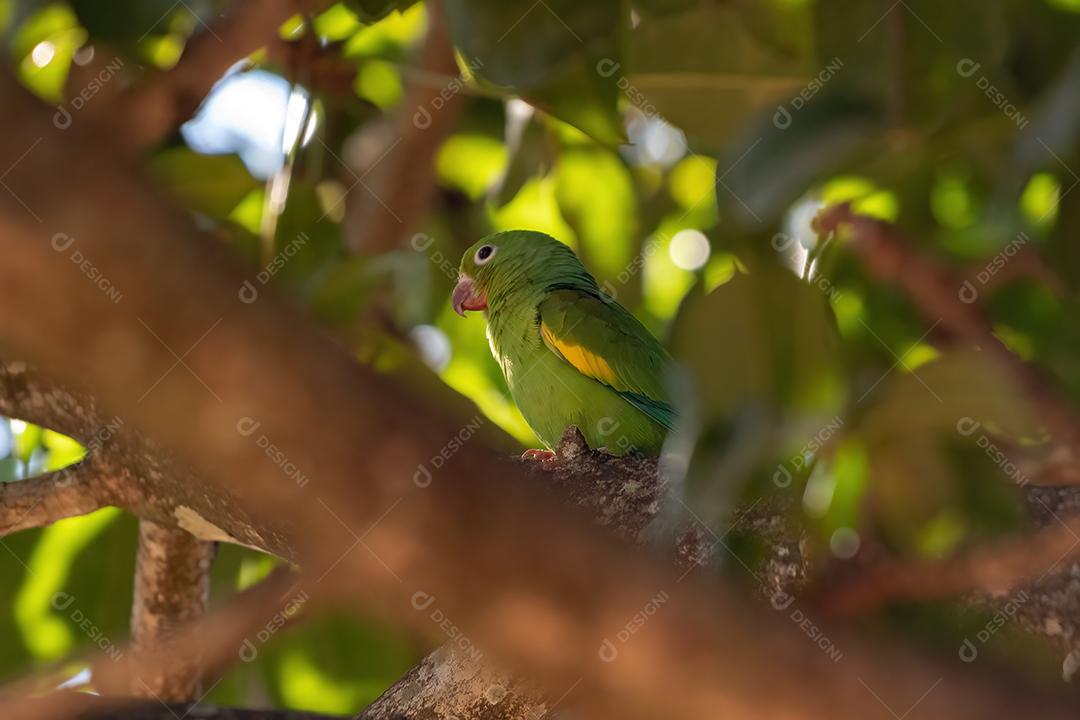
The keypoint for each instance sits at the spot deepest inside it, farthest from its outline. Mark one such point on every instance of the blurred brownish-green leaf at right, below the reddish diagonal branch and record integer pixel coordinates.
(937, 437)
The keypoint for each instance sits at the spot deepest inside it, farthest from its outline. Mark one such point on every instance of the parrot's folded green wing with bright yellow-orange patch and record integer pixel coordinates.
(602, 341)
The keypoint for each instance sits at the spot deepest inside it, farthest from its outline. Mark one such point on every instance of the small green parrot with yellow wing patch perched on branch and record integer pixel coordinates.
(571, 355)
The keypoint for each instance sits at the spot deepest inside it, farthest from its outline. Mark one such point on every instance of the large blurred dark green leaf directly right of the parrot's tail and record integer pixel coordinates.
(763, 376)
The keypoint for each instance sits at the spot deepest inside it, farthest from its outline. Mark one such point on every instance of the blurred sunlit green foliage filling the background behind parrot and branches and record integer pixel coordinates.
(958, 121)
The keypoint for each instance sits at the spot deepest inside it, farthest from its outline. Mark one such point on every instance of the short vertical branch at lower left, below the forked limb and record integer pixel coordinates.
(172, 589)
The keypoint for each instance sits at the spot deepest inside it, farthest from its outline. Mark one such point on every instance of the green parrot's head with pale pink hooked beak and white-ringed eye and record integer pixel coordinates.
(516, 261)
